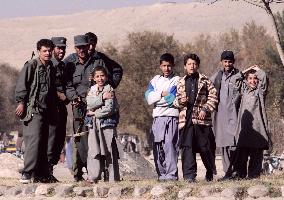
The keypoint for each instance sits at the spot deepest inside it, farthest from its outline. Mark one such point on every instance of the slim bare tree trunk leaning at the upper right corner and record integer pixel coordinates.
(275, 31)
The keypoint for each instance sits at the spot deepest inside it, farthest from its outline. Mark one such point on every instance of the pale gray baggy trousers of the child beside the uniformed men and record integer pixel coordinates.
(97, 163)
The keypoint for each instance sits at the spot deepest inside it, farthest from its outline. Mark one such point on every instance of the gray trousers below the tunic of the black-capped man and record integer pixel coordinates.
(228, 157)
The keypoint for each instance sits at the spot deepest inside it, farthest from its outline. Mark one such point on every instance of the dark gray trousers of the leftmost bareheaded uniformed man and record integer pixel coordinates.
(35, 134)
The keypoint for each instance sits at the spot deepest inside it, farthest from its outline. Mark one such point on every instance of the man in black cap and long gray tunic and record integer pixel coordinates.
(225, 119)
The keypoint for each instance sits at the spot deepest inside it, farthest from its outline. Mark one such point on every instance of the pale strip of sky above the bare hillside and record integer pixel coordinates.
(24, 8)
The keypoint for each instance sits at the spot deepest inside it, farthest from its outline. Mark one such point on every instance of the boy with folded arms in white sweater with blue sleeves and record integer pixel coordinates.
(161, 92)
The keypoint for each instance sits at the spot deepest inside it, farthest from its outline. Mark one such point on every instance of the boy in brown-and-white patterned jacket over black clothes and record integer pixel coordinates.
(196, 99)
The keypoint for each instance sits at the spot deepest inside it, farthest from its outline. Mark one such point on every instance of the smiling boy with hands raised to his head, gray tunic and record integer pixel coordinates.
(252, 136)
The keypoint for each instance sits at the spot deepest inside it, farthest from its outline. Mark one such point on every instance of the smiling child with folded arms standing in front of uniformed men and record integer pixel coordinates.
(102, 150)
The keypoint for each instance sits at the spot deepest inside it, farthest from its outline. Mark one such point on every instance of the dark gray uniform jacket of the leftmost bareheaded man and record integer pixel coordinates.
(36, 87)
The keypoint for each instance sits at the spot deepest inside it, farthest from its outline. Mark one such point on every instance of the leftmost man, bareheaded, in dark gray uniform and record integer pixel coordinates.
(37, 103)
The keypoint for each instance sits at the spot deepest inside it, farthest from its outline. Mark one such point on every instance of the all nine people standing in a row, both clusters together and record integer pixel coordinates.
(183, 111)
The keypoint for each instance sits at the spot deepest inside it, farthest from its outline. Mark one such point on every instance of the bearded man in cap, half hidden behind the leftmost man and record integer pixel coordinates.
(57, 137)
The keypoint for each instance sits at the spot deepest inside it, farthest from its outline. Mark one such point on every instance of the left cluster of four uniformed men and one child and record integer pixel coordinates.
(86, 79)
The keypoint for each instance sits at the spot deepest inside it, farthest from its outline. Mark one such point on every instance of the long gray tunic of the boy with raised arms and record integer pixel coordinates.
(252, 130)
